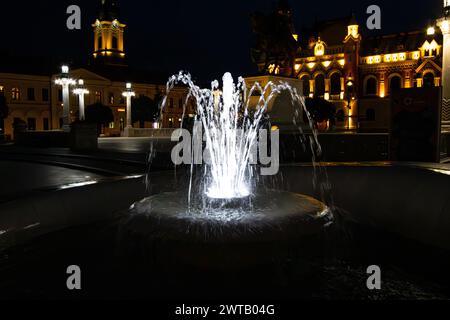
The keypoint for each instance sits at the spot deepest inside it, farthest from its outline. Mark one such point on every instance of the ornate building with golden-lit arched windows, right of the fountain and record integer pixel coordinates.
(356, 73)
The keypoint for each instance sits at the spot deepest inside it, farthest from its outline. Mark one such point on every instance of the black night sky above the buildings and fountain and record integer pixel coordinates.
(205, 37)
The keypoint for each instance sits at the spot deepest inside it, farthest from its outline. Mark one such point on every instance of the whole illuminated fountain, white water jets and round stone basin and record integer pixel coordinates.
(225, 204)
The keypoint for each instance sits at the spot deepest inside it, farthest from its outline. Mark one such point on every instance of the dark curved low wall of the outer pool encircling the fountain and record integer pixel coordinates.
(411, 201)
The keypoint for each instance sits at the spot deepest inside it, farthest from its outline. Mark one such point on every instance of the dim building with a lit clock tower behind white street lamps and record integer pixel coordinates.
(32, 95)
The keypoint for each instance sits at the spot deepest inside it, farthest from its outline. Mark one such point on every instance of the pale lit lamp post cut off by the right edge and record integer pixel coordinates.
(444, 24)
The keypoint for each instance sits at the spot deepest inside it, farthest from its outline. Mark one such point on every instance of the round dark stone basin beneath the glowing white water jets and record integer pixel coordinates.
(264, 229)
